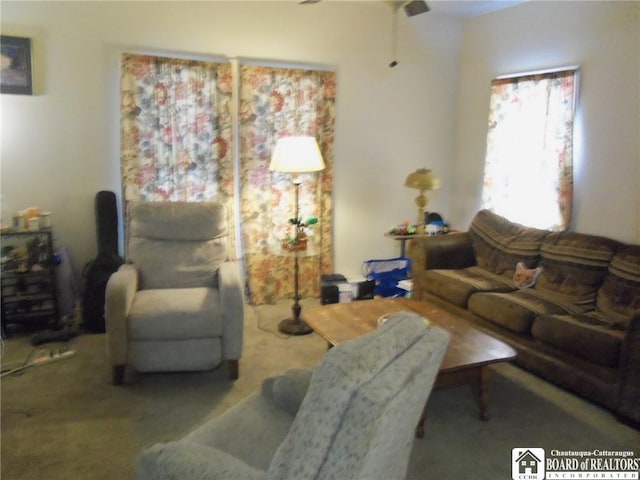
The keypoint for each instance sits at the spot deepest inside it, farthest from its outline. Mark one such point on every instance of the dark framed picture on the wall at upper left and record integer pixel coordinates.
(15, 66)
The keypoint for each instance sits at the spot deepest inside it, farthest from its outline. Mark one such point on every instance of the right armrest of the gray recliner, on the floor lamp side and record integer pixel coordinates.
(232, 305)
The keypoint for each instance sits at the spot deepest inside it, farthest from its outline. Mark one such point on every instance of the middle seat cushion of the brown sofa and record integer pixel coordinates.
(516, 310)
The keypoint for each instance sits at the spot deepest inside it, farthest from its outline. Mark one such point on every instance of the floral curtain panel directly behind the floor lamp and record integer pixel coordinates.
(276, 102)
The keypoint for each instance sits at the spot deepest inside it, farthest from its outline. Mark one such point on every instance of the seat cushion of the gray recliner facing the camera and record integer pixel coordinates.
(175, 314)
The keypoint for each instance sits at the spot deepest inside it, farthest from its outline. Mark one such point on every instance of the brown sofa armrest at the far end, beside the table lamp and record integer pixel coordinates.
(452, 251)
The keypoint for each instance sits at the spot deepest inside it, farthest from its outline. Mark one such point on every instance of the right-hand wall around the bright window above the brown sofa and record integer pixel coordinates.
(603, 38)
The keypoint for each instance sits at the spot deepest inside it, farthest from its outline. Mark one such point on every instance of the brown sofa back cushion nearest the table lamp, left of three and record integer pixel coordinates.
(499, 244)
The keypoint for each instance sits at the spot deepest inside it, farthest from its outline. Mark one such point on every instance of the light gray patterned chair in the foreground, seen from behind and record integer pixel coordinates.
(352, 418)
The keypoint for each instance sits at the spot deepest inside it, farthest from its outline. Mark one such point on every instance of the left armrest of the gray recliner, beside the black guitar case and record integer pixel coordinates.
(121, 289)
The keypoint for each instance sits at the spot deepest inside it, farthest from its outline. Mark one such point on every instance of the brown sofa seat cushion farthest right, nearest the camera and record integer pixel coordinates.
(590, 336)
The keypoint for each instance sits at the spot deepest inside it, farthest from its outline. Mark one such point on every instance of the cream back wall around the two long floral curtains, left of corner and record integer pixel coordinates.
(60, 146)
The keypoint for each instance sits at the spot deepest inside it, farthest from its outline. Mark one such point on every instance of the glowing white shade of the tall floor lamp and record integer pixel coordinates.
(296, 155)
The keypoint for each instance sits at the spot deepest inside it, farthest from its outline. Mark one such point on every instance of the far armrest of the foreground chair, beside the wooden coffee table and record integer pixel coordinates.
(288, 390)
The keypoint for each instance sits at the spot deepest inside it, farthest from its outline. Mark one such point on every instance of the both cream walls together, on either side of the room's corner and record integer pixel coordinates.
(60, 146)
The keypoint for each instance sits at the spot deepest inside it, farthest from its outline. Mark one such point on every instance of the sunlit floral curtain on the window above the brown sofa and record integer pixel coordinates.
(529, 161)
